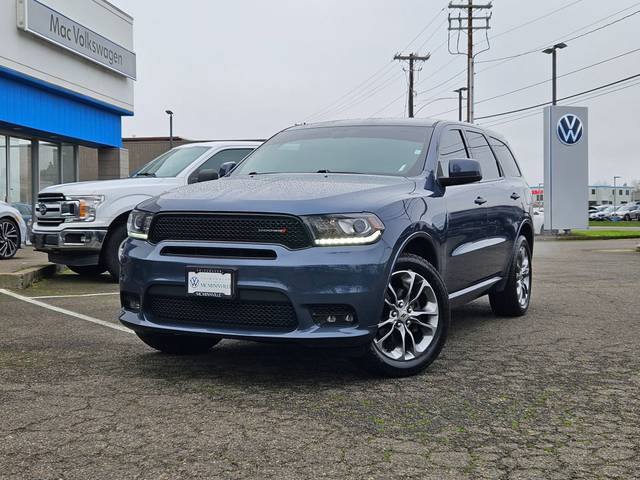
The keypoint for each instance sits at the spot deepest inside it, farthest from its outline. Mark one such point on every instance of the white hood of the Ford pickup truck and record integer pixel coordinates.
(117, 188)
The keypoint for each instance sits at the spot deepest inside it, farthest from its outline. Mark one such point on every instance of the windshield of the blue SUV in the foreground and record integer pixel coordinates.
(381, 150)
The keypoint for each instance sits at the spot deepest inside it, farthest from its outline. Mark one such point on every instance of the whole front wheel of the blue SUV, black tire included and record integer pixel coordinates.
(414, 323)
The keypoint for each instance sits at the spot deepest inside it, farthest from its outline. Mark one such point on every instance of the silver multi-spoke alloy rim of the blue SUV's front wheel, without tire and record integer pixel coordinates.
(410, 318)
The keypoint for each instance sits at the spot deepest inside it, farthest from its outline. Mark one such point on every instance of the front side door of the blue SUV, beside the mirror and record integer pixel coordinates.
(466, 218)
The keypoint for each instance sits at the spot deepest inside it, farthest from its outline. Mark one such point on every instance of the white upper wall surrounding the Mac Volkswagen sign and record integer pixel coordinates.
(28, 54)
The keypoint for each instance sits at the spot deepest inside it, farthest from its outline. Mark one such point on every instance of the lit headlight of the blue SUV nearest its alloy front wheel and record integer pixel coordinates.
(345, 229)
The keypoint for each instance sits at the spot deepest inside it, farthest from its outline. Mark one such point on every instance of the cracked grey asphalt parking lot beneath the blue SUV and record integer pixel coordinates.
(552, 395)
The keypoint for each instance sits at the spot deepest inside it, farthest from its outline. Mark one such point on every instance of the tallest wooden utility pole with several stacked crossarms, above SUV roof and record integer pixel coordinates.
(456, 24)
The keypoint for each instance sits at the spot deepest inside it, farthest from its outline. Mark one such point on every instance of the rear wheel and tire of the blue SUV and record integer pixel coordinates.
(514, 300)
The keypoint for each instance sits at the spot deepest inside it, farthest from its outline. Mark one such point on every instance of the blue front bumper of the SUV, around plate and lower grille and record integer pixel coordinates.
(354, 276)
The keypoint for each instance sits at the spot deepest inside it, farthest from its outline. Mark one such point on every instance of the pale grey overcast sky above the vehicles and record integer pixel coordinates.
(248, 68)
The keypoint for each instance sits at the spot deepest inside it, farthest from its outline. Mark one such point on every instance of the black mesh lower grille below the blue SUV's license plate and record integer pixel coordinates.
(215, 312)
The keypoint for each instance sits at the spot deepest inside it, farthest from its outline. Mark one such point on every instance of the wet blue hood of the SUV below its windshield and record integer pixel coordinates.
(298, 194)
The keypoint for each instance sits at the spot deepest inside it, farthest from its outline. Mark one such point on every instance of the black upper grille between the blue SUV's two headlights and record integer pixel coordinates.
(273, 229)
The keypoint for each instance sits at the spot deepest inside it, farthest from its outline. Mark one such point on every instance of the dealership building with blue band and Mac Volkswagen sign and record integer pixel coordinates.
(67, 70)
